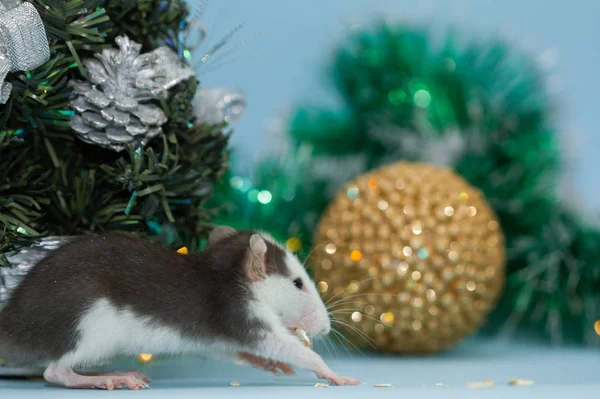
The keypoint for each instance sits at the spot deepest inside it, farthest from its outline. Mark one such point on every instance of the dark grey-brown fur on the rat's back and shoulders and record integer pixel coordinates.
(201, 295)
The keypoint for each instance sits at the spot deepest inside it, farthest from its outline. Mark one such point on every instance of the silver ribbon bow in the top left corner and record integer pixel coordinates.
(23, 41)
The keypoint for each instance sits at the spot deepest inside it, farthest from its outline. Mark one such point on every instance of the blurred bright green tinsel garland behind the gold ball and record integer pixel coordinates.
(480, 108)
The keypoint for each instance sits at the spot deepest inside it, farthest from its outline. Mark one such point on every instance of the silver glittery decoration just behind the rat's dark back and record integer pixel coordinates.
(23, 260)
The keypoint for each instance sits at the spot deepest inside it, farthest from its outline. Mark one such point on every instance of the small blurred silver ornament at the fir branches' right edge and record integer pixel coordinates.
(212, 106)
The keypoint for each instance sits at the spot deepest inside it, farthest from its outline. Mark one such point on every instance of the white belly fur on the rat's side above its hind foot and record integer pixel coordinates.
(106, 332)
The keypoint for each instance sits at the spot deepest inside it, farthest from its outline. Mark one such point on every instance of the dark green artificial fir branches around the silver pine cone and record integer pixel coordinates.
(53, 184)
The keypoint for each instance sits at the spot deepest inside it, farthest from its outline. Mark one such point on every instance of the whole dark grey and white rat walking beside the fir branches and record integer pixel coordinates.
(105, 295)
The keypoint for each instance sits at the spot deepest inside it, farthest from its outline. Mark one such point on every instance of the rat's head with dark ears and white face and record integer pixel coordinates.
(280, 281)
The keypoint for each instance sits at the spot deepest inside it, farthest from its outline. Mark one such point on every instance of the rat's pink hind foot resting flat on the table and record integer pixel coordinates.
(66, 377)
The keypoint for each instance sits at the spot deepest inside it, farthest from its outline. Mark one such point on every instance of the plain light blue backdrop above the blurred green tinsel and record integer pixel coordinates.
(286, 64)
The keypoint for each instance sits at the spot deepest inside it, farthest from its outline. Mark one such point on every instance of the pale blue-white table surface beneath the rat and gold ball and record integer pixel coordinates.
(557, 373)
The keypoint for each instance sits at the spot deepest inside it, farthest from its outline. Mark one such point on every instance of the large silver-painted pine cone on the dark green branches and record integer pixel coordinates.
(116, 107)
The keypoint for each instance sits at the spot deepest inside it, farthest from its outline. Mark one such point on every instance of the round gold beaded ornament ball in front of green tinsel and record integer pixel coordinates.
(410, 257)
